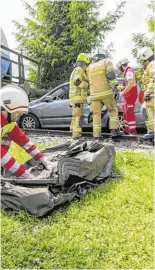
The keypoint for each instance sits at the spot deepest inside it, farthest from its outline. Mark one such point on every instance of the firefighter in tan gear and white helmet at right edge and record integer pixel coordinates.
(146, 57)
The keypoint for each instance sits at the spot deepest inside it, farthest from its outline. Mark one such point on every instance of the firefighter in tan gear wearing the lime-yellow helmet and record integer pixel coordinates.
(79, 89)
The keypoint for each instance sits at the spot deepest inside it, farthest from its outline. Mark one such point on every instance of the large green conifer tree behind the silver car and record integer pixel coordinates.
(58, 31)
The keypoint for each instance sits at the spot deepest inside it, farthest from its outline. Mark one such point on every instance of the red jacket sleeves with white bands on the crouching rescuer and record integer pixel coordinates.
(19, 137)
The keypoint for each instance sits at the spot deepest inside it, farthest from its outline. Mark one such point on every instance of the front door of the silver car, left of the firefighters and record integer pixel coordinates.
(57, 112)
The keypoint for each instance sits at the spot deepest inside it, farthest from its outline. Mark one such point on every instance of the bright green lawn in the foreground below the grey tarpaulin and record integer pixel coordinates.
(111, 227)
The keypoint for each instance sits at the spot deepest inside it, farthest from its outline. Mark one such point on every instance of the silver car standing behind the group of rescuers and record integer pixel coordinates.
(53, 110)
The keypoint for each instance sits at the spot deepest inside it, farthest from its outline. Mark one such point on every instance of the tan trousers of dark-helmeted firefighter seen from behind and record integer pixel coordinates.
(96, 110)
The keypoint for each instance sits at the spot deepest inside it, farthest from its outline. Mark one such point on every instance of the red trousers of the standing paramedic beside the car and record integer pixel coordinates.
(129, 117)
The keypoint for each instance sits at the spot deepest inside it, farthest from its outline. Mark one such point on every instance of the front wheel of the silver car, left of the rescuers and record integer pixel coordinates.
(29, 121)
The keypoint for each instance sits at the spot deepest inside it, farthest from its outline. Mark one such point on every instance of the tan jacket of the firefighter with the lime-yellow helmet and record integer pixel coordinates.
(78, 94)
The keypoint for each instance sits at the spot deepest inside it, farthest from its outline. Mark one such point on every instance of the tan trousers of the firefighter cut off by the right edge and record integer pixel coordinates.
(148, 114)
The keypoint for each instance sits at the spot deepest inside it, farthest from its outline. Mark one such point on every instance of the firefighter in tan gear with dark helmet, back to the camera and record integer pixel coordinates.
(101, 78)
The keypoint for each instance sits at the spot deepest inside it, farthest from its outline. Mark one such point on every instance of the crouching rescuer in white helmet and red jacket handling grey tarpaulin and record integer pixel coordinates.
(14, 103)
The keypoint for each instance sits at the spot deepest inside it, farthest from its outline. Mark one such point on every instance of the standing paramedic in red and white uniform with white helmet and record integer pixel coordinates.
(130, 93)
